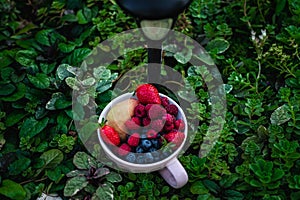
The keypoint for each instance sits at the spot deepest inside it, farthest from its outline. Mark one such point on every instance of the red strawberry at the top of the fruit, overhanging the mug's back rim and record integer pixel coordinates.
(148, 94)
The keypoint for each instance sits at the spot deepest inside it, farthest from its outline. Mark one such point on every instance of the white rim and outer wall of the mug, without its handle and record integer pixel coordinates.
(118, 161)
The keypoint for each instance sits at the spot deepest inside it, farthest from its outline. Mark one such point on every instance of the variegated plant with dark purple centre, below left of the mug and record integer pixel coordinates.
(91, 179)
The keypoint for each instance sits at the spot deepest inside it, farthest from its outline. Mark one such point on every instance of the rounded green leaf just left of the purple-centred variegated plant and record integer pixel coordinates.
(52, 158)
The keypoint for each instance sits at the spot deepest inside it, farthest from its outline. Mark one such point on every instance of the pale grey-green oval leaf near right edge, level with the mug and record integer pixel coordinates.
(280, 115)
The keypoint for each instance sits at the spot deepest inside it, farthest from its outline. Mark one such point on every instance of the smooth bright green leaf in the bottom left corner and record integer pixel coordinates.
(12, 190)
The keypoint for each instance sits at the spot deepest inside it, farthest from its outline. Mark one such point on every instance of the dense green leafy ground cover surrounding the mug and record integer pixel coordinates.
(255, 45)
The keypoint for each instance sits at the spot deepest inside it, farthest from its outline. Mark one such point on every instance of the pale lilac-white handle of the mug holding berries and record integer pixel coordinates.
(174, 174)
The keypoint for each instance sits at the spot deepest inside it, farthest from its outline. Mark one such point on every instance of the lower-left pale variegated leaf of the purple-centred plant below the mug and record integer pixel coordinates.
(74, 185)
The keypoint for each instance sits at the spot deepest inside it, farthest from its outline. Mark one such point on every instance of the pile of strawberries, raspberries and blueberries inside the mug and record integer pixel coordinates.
(145, 128)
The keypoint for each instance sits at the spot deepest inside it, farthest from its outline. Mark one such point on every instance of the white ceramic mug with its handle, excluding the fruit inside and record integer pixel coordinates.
(170, 168)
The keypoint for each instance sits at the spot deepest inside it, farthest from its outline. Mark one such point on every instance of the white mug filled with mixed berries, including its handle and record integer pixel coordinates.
(145, 131)
